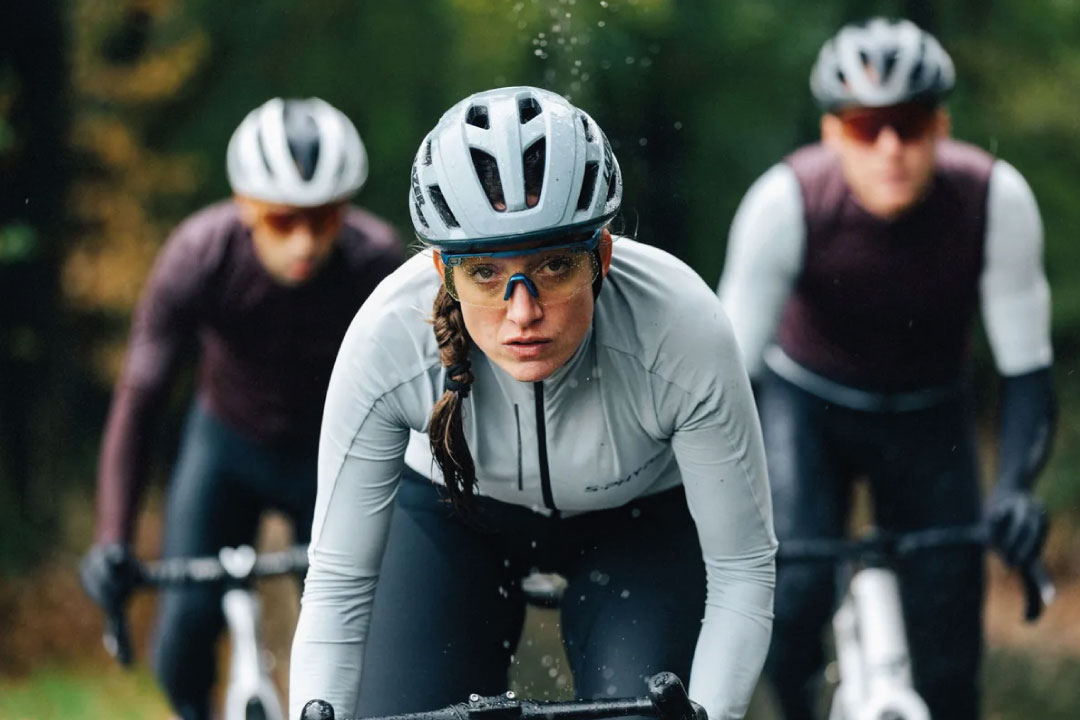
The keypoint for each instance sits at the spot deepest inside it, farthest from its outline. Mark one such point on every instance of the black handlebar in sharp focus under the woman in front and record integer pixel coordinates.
(667, 700)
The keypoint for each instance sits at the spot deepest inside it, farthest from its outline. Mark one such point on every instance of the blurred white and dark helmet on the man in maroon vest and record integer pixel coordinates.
(879, 63)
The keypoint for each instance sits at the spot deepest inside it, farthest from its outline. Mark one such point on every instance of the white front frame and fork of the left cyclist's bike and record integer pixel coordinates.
(251, 695)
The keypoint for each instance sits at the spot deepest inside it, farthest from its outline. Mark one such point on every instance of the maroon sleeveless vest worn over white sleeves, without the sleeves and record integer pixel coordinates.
(888, 306)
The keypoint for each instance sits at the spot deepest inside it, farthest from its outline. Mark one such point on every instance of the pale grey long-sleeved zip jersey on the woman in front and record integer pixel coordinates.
(655, 397)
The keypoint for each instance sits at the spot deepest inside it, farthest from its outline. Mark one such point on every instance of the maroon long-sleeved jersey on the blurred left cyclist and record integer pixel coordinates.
(267, 350)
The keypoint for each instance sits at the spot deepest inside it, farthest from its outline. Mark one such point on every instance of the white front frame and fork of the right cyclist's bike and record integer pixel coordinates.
(872, 654)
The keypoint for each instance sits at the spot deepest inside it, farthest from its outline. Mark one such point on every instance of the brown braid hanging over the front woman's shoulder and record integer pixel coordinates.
(447, 431)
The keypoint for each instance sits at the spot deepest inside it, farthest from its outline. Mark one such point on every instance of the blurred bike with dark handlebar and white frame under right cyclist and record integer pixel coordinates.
(869, 628)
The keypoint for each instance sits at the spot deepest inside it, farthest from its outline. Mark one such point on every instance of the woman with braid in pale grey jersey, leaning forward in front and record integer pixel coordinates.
(571, 405)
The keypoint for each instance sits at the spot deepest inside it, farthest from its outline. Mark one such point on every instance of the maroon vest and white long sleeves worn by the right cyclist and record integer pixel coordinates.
(882, 306)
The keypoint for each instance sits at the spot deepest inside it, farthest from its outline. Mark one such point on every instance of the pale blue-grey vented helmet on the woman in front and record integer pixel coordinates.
(509, 164)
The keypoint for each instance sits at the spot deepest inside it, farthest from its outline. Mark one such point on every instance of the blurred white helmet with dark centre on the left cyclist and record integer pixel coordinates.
(296, 153)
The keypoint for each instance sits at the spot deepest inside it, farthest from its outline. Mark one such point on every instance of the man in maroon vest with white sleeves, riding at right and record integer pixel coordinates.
(856, 268)
